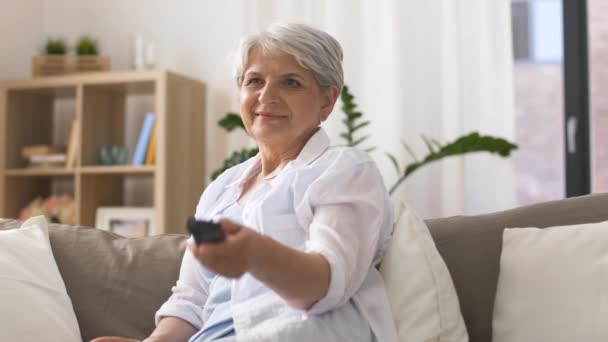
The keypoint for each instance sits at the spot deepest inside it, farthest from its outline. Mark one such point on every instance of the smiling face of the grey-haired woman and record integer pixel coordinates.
(281, 102)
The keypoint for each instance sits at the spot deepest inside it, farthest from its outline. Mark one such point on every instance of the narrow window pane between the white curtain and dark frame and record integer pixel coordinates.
(539, 101)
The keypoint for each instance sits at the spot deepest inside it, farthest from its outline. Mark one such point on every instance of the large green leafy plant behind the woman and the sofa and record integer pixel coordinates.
(354, 123)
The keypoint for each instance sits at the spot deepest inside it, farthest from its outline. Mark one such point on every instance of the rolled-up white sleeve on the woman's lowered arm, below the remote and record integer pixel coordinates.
(188, 295)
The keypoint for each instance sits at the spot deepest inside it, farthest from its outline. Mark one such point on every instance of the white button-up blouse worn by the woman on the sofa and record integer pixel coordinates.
(329, 200)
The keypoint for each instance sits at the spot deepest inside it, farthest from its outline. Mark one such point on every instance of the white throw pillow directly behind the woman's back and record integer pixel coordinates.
(419, 286)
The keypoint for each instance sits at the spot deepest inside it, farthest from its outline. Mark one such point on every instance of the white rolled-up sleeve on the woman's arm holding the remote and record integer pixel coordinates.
(349, 211)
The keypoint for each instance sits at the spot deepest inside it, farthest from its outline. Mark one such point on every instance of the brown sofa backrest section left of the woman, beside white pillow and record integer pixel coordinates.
(116, 284)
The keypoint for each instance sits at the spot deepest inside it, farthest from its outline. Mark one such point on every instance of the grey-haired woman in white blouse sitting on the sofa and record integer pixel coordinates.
(305, 224)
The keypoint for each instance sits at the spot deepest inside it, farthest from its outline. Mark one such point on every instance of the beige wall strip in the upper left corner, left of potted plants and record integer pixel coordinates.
(21, 36)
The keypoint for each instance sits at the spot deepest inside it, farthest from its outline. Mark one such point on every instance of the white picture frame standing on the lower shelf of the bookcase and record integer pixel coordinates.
(131, 222)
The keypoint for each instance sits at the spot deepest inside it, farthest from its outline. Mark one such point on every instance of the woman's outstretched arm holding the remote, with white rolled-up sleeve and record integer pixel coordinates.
(349, 213)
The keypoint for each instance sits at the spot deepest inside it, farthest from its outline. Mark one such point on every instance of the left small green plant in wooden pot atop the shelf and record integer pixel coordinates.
(53, 61)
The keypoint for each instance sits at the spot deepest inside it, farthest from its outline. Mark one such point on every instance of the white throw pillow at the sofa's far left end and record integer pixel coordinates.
(34, 304)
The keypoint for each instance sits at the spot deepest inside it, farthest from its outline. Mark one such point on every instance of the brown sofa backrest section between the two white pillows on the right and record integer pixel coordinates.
(471, 247)
